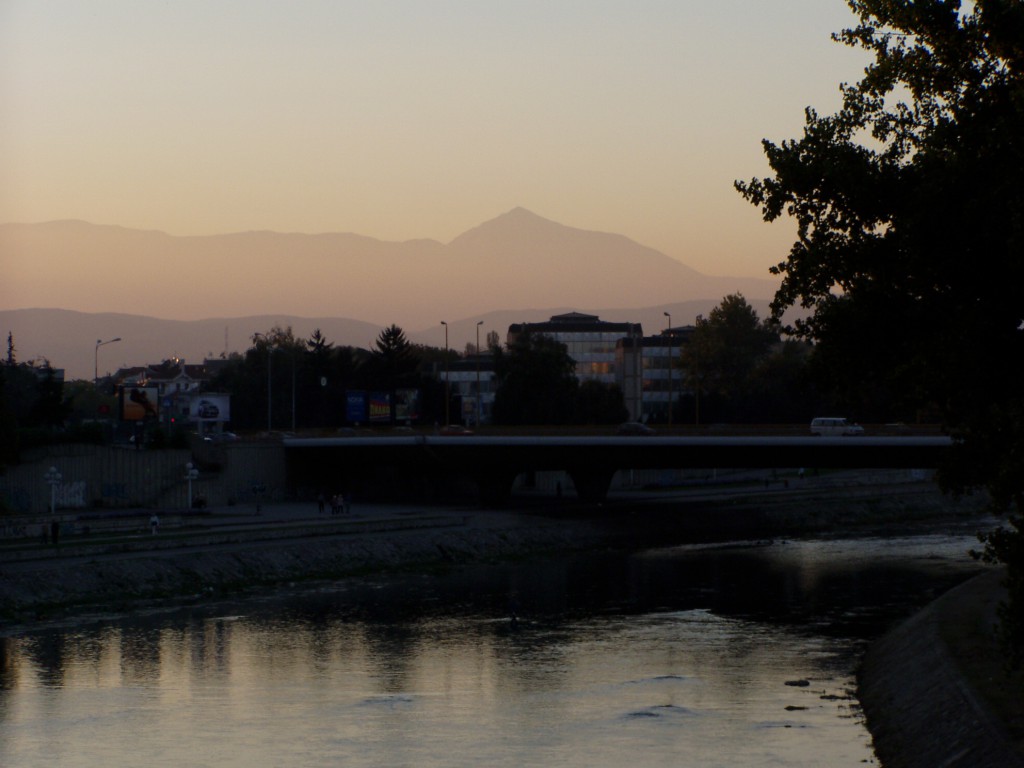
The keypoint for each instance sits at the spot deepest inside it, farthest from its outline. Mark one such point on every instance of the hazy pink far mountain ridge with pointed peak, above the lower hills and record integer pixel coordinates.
(519, 260)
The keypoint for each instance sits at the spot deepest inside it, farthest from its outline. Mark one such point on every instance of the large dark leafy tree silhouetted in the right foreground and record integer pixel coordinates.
(908, 203)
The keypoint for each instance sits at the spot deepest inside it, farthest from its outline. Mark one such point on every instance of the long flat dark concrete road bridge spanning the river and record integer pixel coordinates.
(419, 465)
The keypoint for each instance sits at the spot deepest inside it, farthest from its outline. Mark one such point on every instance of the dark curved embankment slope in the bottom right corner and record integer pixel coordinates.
(935, 692)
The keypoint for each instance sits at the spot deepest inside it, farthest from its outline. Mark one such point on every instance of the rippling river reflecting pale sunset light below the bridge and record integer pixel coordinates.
(739, 655)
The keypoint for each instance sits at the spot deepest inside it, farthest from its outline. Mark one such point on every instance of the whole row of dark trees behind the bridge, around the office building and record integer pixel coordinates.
(737, 368)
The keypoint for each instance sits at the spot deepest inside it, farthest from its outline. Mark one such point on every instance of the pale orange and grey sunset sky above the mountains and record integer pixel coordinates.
(401, 120)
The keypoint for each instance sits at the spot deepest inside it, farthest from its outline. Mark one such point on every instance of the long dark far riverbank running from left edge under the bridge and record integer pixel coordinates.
(115, 563)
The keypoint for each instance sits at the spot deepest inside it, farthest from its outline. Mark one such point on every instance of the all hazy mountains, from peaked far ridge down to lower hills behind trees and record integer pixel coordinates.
(517, 268)
